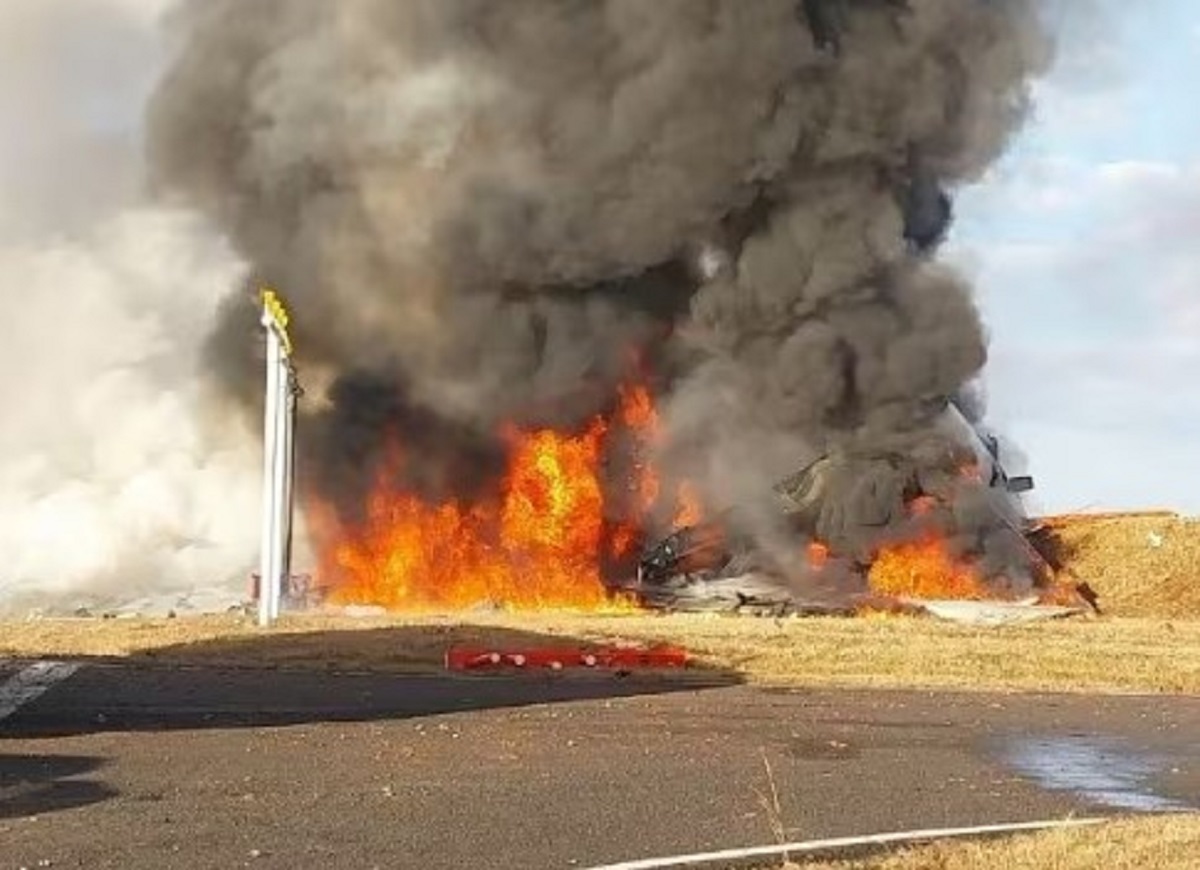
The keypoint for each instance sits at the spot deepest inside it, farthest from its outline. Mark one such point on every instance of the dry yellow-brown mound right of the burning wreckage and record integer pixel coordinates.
(1142, 565)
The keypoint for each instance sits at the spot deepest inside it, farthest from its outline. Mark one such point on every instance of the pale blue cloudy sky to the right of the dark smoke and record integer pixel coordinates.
(1085, 248)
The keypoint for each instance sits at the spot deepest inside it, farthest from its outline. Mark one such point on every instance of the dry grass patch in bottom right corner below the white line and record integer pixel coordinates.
(1165, 843)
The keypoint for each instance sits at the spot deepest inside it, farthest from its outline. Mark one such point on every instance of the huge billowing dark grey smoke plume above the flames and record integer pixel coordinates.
(478, 208)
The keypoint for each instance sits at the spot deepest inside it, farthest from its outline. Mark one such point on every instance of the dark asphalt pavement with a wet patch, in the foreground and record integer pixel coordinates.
(159, 767)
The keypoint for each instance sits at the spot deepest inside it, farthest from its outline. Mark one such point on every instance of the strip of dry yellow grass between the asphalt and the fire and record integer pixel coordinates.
(1114, 656)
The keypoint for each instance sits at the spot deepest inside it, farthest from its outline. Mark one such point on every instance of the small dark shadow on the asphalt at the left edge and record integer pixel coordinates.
(33, 785)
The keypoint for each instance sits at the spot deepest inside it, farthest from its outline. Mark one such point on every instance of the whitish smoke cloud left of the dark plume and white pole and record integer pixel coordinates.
(119, 475)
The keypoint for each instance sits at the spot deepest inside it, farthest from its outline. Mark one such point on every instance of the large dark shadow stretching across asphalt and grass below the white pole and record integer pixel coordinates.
(333, 676)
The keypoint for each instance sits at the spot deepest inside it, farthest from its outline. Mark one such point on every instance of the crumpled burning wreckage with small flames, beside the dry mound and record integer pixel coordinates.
(711, 567)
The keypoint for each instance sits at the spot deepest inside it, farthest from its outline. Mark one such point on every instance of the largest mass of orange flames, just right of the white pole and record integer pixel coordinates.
(541, 543)
